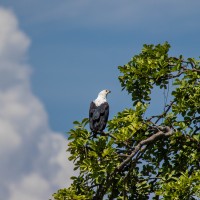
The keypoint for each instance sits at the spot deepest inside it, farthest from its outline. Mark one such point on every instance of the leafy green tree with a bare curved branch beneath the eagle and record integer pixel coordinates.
(156, 157)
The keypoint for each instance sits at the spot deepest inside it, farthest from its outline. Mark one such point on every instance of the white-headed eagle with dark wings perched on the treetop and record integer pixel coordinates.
(98, 112)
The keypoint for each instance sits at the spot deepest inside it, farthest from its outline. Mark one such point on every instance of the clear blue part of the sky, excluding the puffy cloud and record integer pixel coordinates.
(76, 46)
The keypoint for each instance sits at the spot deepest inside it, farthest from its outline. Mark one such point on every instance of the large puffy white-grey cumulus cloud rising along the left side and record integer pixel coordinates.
(33, 158)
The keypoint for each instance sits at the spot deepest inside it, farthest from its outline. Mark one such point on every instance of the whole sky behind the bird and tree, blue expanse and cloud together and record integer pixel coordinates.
(57, 56)
